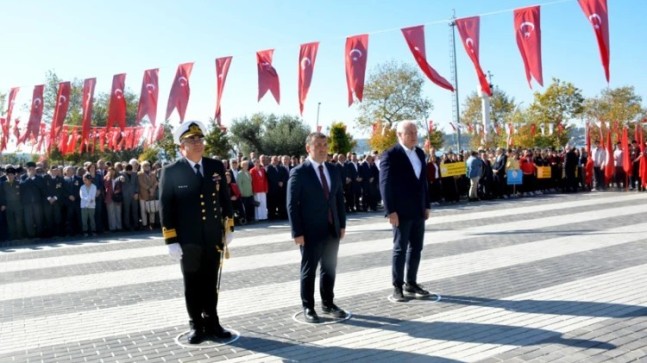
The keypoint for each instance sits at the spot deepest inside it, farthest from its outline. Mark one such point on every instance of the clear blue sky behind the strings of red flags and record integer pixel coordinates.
(101, 38)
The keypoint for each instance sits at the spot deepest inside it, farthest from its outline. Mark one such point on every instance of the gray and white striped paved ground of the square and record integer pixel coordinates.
(553, 278)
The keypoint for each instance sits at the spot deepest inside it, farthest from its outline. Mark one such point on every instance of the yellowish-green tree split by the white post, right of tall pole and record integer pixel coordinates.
(501, 107)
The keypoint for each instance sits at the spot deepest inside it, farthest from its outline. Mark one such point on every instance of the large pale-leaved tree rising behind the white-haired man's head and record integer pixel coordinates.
(393, 93)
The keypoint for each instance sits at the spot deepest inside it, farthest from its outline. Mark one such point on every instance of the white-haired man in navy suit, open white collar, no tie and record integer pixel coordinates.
(403, 184)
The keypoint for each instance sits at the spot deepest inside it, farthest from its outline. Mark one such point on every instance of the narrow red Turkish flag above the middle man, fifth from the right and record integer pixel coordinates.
(356, 55)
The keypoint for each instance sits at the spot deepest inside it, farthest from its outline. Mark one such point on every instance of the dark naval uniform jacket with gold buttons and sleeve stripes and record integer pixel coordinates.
(192, 209)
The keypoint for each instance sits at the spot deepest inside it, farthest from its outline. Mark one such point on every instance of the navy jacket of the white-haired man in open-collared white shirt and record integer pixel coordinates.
(402, 191)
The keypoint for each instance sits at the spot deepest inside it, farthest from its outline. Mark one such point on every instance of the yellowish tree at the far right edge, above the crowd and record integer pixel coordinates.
(616, 106)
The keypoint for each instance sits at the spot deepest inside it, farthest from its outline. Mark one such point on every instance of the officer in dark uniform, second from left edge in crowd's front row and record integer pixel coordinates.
(32, 195)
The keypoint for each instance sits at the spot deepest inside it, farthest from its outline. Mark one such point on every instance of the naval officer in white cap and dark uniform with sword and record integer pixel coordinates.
(195, 209)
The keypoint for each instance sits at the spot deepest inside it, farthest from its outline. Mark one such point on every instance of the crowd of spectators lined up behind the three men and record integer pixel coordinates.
(38, 200)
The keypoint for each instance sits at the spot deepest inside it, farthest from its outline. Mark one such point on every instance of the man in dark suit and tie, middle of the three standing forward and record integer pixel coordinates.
(317, 216)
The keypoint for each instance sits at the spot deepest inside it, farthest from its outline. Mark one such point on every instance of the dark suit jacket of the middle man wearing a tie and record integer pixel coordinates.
(307, 206)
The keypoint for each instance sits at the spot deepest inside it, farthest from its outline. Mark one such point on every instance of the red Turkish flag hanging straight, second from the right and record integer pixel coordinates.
(528, 31)
